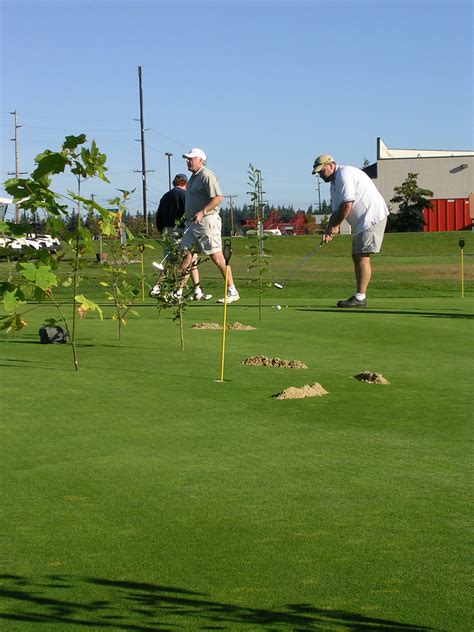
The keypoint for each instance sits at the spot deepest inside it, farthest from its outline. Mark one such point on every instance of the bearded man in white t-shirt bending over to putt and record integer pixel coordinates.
(354, 198)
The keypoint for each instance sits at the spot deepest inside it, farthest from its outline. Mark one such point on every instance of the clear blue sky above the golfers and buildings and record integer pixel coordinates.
(268, 82)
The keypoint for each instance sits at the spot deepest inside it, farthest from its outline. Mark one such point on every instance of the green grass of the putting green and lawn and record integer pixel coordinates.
(141, 494)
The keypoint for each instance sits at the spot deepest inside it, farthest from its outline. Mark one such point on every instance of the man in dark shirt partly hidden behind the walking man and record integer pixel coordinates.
(170, 221)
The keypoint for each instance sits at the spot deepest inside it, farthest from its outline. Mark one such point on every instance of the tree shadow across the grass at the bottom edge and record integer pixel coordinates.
(124, 605)
